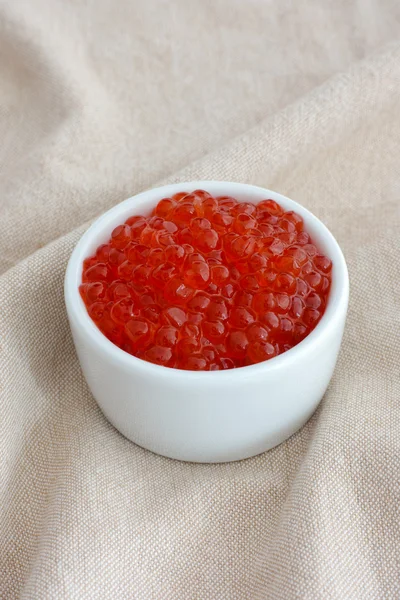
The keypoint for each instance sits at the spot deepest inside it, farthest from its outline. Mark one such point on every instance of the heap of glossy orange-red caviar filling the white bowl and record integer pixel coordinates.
(207, 283)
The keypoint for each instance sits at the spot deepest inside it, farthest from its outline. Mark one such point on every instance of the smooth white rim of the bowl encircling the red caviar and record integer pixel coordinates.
(76, 309)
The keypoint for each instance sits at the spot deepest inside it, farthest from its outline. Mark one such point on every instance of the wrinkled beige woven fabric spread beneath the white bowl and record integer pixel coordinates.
(99, 100)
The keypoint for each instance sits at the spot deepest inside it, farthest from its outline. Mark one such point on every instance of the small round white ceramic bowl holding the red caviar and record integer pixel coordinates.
(208, 416)
